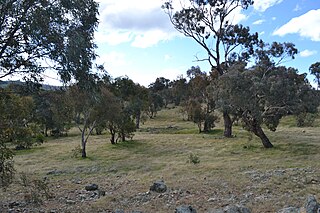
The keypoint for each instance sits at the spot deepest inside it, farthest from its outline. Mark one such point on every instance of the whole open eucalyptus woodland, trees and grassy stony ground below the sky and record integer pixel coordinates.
(244, 132)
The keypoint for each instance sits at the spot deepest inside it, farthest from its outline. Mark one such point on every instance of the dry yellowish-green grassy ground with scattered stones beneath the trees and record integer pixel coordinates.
(234, 170)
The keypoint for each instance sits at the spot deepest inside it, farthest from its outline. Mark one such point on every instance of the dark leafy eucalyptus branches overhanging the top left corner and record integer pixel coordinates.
(36, 35)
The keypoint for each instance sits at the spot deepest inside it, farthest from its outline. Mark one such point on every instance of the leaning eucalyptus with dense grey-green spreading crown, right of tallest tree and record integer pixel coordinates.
(266, 92)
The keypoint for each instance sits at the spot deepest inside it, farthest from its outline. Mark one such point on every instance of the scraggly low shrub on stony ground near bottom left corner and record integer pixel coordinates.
(35, 190)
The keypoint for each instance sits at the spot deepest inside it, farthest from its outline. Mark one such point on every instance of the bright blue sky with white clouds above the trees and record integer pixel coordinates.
(136, 38)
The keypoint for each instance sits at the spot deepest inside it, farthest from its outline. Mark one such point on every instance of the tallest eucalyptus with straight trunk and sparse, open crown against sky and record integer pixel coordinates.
(209, 24)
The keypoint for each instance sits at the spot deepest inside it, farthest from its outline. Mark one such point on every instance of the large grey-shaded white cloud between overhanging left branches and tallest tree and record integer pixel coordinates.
(141, 23)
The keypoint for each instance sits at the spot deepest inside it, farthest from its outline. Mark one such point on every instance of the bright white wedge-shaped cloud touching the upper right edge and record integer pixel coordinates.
(306, 25)
